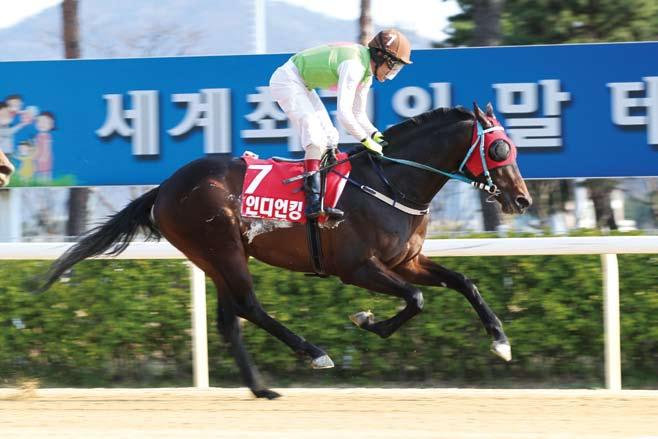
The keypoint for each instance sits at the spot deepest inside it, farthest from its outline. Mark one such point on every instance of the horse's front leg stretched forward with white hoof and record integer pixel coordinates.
(423, 271)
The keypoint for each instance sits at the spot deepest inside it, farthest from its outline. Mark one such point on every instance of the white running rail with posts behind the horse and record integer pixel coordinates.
(607, 247)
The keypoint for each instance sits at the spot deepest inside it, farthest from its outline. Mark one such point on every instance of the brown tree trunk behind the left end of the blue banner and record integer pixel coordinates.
(78, 197)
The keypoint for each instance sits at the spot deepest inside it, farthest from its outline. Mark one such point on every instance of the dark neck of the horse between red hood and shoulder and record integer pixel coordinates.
(444, 154)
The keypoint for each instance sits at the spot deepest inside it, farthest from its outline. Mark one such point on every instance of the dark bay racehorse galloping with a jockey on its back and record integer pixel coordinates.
(377, 246)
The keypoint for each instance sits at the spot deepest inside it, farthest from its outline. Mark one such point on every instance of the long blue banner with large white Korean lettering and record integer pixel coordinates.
(573, 110)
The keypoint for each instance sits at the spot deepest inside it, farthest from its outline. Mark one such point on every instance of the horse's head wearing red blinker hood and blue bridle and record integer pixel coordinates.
(499, 161)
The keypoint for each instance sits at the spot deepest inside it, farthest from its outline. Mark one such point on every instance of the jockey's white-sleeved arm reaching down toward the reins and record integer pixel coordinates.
(350, 75)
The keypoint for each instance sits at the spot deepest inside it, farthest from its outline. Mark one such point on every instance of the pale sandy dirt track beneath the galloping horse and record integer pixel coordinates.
(328, 413)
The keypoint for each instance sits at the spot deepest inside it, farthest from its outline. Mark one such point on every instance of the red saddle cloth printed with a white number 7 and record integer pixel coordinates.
(264, 195)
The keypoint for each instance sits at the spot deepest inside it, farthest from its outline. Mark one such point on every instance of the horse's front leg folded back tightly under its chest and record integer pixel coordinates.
(376, 277)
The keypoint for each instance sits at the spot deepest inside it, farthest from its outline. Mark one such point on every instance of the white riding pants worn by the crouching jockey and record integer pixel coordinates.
(304, 109)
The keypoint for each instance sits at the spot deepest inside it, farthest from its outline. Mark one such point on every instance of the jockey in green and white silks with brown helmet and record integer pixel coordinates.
(349, 67)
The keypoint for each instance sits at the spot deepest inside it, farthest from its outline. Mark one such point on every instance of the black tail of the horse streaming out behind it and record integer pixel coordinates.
(115, 234)
